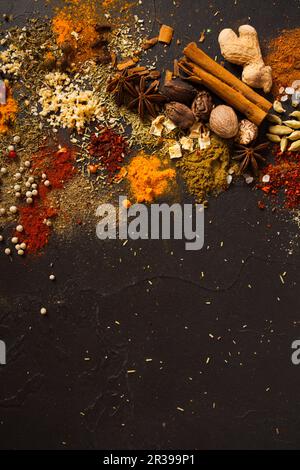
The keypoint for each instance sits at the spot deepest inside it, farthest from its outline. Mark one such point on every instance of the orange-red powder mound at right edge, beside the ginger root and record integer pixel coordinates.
(284, 58)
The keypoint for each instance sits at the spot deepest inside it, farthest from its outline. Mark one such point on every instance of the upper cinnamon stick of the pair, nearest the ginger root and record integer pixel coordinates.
(196, 55)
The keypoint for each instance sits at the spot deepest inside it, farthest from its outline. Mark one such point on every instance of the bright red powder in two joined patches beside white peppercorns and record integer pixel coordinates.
(59, 168)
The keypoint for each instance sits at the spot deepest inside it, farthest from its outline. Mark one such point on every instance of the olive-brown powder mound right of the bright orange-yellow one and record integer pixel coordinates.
(205, 171)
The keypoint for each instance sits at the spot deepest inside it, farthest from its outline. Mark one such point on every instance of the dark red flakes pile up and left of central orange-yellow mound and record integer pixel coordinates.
(110, 148)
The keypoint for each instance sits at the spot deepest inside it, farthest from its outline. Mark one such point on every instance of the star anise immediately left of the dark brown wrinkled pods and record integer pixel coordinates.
(145, 98)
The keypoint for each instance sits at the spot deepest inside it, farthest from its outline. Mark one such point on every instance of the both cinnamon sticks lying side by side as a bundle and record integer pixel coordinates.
(201, 69)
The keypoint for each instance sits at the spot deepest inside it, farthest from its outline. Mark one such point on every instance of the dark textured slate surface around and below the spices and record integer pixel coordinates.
(121, 305)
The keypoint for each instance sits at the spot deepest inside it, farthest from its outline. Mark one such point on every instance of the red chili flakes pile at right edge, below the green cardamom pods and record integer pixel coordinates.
(284, 178)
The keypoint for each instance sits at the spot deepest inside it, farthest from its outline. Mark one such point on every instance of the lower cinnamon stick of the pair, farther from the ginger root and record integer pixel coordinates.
(233, 97)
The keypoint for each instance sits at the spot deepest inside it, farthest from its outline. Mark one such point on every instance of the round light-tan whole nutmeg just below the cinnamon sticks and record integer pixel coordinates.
(224, 122)
